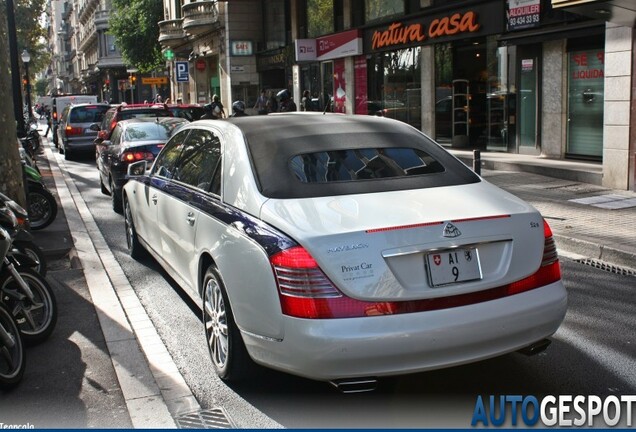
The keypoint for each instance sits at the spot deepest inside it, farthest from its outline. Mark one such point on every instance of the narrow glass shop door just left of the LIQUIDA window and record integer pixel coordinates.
(528, 121)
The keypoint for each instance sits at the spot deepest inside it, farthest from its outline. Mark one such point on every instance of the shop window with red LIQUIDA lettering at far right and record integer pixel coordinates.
(585, 103)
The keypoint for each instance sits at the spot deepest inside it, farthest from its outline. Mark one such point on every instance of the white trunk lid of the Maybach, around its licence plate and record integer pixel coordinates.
(390, 265)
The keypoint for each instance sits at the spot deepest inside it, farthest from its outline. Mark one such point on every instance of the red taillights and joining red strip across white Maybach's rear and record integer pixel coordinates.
(306, 292)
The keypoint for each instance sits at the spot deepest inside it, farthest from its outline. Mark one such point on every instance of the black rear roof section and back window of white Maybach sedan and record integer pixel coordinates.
(313, 156)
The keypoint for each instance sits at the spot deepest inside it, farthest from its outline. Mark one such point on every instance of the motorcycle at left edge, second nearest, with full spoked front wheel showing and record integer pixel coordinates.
(26, 294)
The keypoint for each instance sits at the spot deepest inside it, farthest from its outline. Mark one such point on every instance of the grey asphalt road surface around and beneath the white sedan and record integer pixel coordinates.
(593, 353)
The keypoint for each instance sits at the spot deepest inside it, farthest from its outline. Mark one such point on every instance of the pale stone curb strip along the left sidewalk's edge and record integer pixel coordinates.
(153, 388)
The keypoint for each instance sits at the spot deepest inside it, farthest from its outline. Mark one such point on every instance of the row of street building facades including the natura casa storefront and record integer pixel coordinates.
(551, 78)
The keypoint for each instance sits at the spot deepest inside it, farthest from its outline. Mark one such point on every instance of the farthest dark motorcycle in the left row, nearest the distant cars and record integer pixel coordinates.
(42, 206)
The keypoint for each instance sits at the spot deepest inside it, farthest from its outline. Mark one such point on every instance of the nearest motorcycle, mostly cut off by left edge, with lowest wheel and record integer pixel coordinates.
(12, 354)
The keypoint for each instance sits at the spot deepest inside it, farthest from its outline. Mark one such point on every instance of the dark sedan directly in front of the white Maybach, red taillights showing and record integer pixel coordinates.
(131, 141)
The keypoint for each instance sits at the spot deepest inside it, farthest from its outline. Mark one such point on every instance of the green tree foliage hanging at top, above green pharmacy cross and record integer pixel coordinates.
(134, 23)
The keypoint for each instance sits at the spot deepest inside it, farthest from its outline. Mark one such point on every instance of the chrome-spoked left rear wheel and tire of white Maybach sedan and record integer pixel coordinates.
(223, 338)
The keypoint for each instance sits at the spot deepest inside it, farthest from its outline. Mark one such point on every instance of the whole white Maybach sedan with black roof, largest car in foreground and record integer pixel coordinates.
(342, 248)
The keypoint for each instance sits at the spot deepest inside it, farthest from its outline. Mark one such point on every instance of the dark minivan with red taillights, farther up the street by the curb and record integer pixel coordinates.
(74, 133)
